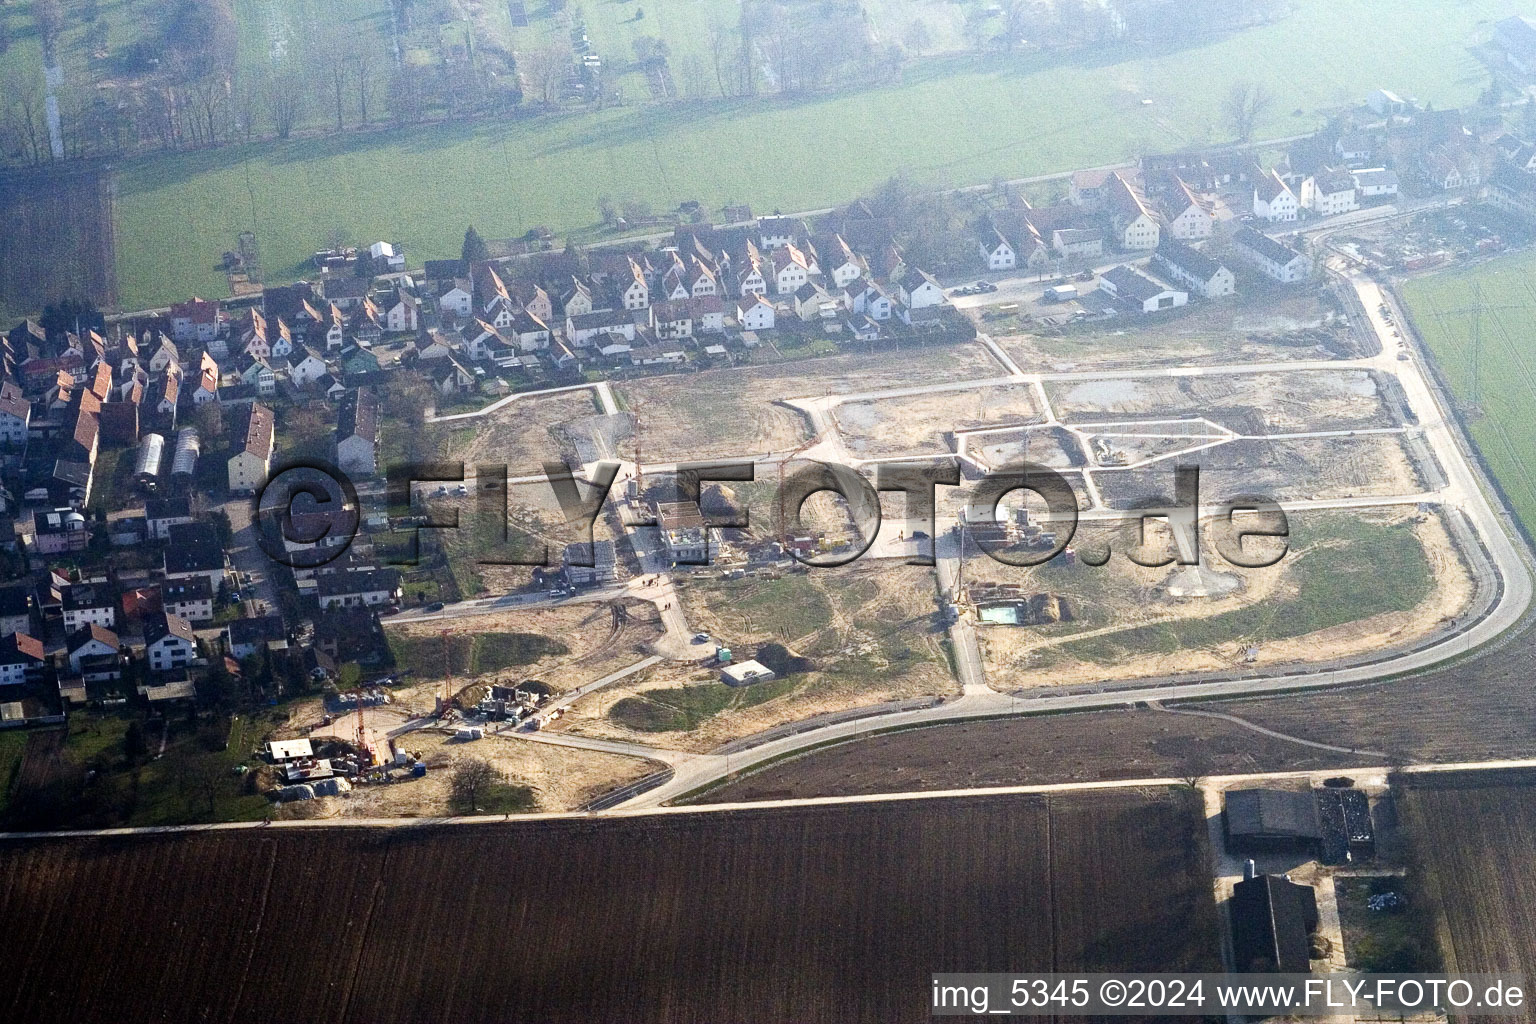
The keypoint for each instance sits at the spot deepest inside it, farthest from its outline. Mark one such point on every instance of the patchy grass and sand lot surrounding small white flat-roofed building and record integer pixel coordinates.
(869, 633)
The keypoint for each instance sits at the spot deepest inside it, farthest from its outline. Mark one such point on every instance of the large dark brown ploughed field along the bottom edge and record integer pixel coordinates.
(844, 914)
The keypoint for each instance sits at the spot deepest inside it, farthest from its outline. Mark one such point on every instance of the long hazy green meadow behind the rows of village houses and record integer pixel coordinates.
(959, 119)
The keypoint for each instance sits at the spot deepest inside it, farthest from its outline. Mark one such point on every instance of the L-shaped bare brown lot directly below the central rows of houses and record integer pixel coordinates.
(729, 414)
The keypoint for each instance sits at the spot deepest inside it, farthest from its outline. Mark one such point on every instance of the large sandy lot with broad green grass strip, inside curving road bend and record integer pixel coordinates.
(1351, 583)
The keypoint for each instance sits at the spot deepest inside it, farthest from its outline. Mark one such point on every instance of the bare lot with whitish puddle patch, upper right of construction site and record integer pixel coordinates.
(1243, 403)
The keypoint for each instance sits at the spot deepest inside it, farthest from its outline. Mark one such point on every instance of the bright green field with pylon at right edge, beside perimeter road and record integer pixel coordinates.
(1501, 415)
